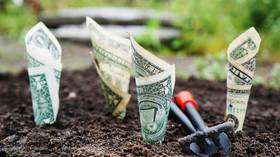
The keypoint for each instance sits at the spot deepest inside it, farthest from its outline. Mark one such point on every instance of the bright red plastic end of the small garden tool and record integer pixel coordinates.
(184, 97)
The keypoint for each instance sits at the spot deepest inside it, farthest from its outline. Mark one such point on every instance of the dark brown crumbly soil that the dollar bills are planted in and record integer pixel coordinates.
(84, 128)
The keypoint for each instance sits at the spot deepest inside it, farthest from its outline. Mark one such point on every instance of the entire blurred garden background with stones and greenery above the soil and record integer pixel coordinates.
(193, 34)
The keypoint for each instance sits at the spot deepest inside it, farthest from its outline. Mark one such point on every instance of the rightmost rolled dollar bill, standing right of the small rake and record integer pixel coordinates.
(242, 63)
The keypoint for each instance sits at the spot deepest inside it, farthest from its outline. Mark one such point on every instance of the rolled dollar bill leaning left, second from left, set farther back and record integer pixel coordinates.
(112, 59)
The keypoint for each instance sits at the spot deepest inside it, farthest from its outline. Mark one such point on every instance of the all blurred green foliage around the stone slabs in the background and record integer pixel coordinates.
(207, 26)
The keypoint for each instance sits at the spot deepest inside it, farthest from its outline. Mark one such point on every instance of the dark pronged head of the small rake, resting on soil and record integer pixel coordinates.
(206, 143)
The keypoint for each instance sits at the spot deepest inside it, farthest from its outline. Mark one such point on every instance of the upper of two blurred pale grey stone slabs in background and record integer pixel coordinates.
(107, 15)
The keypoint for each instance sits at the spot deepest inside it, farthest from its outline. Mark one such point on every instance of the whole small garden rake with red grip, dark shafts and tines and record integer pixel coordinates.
(202, 141)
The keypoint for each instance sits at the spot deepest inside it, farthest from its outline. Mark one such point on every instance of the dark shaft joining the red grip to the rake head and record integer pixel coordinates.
(195, 117)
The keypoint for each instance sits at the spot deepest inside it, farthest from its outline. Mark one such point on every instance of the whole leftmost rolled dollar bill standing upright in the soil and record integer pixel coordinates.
(44, 70)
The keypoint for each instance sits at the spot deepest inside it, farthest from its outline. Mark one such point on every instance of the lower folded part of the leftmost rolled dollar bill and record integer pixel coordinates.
(40, 79)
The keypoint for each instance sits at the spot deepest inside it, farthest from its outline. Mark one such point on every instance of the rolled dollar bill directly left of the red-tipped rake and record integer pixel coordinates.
(155, 81)
